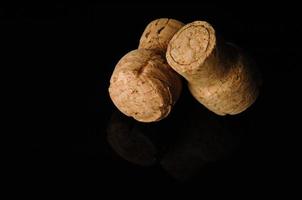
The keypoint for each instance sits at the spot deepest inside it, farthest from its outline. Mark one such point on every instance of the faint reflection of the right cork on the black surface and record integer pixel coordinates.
(204, 138)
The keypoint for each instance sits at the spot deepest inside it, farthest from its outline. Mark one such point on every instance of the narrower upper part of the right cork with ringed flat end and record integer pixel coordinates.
(192, 47)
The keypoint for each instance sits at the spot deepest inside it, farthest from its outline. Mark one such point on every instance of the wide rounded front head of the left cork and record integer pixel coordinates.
(144, 86)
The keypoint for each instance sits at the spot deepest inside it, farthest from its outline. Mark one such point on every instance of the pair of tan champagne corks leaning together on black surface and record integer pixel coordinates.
(146, 82)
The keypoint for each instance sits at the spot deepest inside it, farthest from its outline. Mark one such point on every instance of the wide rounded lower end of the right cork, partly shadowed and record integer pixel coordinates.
(235, 92)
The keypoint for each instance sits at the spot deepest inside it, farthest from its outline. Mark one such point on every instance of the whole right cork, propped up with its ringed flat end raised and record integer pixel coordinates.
(219, 75)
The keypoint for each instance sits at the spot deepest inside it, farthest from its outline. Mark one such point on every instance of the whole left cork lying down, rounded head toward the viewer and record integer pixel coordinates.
(143, 85)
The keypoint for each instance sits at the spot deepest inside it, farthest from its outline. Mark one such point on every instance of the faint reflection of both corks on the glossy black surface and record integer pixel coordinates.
(183, 145)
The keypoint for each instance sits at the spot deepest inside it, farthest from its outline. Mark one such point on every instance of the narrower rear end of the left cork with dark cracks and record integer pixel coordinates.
(158, 33)
